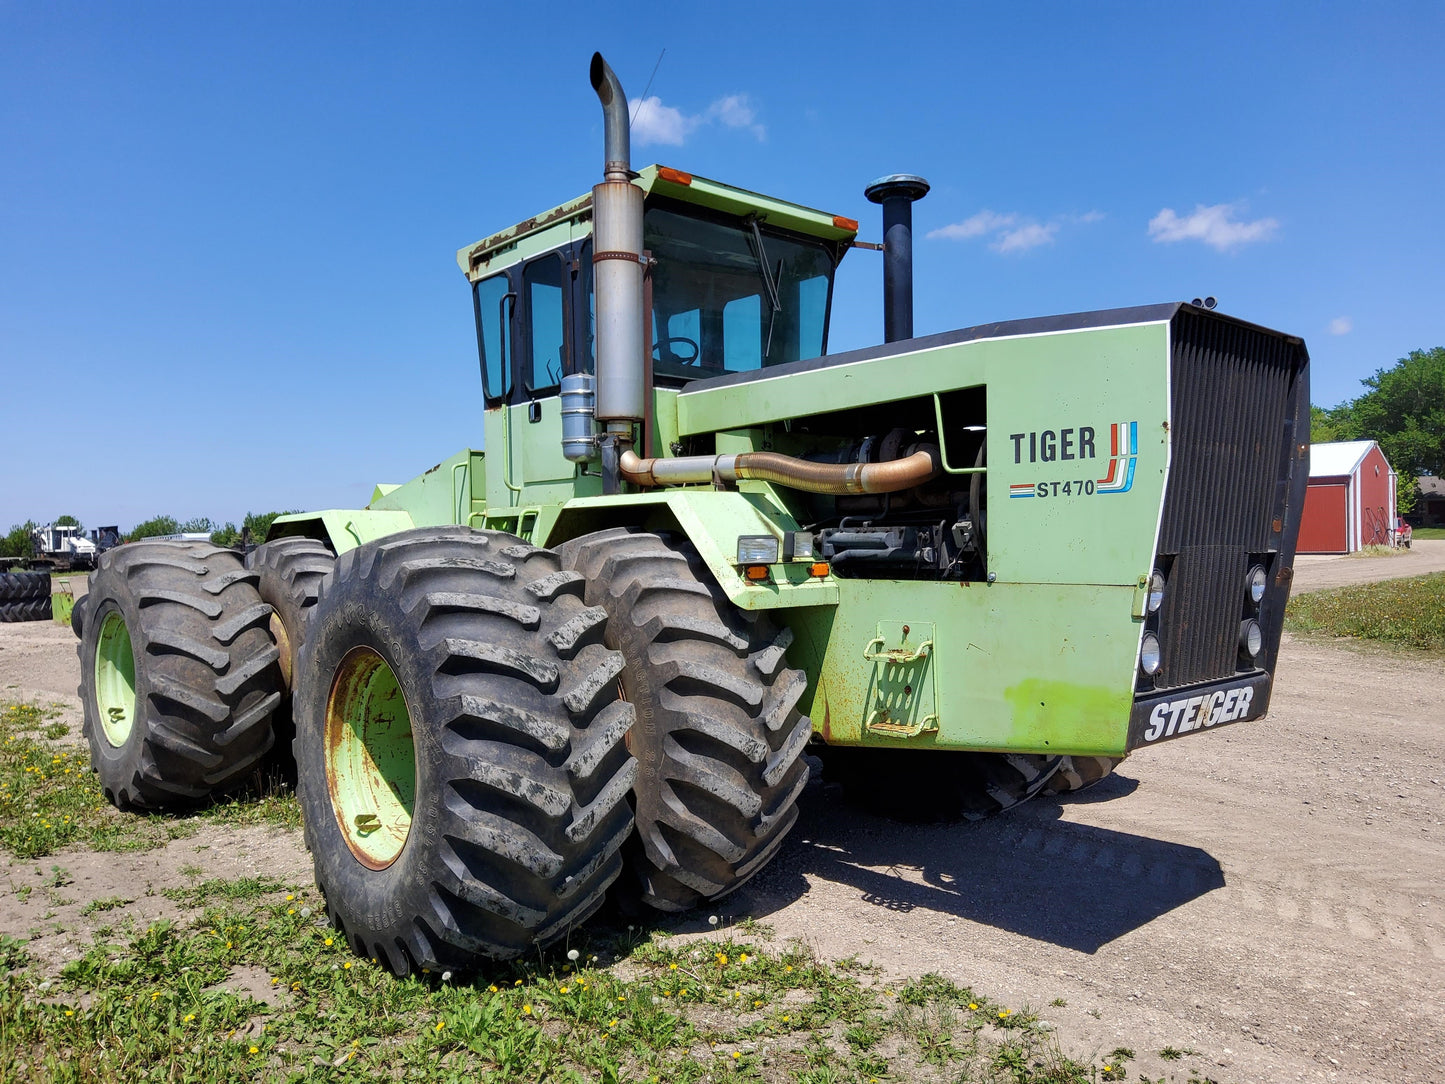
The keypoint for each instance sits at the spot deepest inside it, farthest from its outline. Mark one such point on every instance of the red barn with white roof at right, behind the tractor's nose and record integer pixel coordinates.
(1350, 502)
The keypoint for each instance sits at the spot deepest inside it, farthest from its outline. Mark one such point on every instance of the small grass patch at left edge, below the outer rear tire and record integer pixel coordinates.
(51, 800)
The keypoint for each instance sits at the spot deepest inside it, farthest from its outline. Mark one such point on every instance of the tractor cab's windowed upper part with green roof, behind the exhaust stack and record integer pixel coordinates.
(738, 281)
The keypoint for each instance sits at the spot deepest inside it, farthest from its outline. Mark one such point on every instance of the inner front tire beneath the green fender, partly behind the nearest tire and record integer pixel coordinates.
(719, 735)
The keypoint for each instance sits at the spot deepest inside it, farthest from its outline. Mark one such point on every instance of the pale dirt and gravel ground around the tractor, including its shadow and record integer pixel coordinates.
(1271, 897)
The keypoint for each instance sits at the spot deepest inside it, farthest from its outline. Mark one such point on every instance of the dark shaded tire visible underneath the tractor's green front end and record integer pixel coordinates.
(924, 786)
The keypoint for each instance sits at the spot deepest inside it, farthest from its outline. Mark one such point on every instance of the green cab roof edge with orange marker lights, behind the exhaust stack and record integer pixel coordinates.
(573, 219)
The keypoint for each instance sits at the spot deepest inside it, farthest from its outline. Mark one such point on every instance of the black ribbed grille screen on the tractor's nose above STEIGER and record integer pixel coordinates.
(1233, 391)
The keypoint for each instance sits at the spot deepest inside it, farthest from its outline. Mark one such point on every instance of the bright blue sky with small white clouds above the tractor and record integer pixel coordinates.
(228, 233)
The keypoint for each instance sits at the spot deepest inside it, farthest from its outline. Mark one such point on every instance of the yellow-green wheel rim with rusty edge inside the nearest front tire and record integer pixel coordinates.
(371, 758)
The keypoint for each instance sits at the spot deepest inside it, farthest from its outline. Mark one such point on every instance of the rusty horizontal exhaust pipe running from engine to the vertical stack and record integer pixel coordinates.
(784, 470)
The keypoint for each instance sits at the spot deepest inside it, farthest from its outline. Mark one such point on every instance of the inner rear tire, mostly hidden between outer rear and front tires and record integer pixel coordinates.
(291, 572)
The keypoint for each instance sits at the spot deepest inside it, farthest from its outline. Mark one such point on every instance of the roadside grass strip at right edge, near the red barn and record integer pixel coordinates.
(1405, 614)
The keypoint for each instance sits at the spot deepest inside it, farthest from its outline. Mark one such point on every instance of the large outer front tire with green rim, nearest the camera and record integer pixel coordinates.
(460, 747)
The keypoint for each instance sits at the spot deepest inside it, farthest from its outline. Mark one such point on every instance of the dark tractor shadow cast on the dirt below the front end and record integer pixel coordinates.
(1027, 872)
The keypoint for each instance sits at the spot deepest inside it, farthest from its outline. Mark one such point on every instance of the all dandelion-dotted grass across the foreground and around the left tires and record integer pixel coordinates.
(251, 984)
